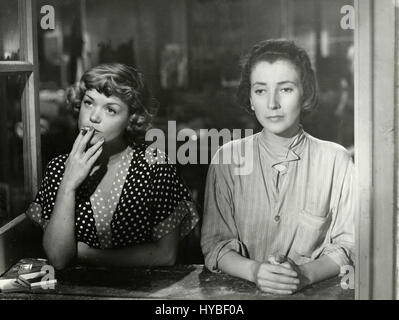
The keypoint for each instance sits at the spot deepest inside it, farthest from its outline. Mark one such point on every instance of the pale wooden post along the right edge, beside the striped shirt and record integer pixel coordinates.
(375, 148)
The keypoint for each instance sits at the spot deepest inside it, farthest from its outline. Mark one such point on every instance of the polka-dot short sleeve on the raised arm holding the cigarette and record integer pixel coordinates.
(42, 206)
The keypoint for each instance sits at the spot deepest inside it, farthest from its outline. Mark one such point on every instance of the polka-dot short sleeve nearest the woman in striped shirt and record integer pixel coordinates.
(171, 203)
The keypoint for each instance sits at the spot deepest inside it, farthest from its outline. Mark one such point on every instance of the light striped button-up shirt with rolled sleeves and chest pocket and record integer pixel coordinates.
(296, 202)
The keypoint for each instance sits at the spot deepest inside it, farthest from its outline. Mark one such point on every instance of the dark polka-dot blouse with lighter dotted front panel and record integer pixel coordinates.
(147, 200)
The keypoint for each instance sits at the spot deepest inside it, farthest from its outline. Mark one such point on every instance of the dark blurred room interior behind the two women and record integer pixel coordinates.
(189, 52)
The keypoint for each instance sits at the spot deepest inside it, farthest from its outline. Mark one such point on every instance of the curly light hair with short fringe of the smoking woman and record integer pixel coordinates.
(127, 84)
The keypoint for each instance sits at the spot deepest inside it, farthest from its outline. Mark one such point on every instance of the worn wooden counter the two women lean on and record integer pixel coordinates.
(178, 282)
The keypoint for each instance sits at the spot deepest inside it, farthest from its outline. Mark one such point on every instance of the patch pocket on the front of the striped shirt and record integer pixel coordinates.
(311, 233)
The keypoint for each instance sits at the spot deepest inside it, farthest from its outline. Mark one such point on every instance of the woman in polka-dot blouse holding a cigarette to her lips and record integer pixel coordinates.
(112, 201)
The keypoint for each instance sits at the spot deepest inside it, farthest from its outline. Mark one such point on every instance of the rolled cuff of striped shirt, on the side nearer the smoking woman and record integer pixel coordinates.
(223, 247)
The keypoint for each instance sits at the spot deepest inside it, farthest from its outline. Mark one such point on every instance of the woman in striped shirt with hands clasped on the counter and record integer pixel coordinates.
(289, 222)
